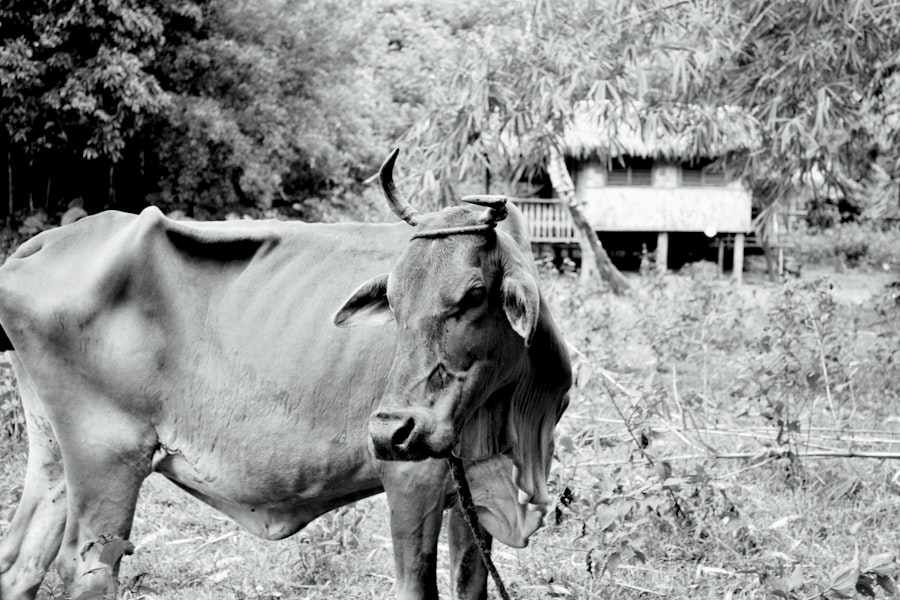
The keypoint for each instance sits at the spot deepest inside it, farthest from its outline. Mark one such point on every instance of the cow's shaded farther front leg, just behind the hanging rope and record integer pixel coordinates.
(468, 574)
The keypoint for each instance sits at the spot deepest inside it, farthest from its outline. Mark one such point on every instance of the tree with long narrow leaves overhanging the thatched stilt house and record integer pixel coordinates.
(814, 74)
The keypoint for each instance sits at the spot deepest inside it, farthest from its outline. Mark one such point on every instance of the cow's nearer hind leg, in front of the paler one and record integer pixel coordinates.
(107, 455)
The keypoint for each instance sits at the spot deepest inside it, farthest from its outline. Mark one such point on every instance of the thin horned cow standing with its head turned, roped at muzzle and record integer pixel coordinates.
(208, 353)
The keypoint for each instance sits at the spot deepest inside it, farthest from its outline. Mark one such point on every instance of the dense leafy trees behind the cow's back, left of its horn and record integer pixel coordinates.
(200, 104)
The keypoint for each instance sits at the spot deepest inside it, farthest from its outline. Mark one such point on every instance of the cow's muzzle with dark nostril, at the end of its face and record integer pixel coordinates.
(409, 434)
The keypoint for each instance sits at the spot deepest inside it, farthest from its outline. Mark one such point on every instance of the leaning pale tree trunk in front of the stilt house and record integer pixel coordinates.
(591, 249)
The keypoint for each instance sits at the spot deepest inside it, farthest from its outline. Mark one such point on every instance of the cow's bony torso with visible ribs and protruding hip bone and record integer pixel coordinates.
(219, 338)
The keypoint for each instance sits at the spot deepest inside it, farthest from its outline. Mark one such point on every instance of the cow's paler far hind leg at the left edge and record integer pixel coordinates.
(32, 540)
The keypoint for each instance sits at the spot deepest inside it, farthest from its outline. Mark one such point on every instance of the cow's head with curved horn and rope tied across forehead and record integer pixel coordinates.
(466, 304)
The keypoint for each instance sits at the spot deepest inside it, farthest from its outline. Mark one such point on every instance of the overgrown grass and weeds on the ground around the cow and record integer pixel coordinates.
(669, 382)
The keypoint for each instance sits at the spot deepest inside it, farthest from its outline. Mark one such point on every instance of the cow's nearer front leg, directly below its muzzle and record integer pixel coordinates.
(416, 495)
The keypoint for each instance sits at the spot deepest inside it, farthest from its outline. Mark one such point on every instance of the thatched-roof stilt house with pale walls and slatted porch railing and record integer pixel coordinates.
(655, 176)
